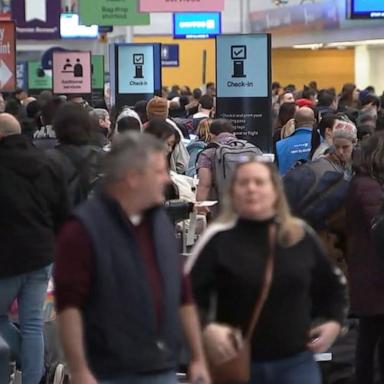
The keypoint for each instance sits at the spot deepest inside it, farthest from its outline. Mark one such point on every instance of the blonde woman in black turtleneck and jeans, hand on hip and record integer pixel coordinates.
(229, 264)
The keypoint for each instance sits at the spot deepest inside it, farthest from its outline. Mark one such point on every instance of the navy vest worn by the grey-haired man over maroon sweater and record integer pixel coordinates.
(120, 329)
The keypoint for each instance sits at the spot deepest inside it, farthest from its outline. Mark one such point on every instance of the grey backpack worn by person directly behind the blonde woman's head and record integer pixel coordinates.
(226, 157)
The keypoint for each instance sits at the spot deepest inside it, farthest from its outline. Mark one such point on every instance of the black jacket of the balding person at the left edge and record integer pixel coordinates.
(33, 204)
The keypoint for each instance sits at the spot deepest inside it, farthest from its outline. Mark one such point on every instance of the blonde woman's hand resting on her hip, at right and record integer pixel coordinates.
(323, 336)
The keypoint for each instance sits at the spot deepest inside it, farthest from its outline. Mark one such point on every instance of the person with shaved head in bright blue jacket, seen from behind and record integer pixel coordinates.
(297, 146)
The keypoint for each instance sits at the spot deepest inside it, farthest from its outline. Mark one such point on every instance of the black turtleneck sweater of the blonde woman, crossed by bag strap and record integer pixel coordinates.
(305, 287)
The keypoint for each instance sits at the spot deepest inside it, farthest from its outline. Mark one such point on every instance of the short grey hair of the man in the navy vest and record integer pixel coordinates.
(130, 151)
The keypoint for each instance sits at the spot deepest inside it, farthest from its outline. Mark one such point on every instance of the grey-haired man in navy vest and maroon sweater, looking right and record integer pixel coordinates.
(122, 299)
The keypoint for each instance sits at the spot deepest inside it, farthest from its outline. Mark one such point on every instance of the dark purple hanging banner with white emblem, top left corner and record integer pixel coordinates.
(37, 19)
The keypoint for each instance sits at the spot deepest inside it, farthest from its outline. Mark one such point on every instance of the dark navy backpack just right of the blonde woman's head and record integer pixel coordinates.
(315, 190)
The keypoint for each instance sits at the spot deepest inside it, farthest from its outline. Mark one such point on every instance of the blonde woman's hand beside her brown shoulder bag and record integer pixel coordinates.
(220, 342)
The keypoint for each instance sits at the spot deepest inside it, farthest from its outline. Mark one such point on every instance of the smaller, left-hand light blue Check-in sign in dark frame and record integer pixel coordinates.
(135, 72)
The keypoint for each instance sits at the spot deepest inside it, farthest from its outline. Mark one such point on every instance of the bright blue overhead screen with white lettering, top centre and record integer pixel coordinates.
(200, 25)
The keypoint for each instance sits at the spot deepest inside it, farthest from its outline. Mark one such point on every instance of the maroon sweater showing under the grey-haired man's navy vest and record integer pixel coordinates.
(74, 267)
